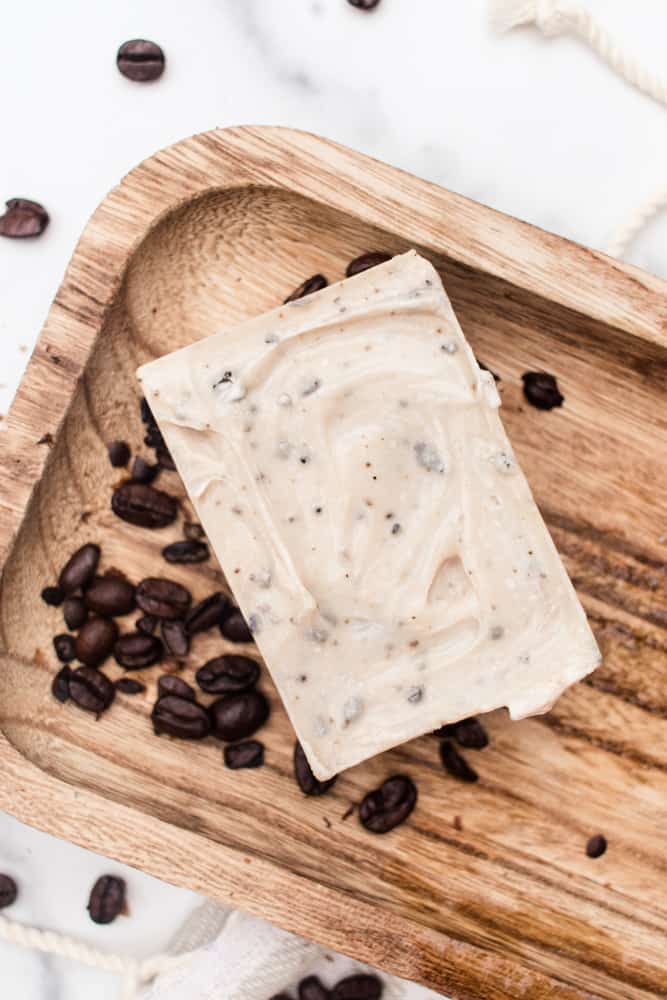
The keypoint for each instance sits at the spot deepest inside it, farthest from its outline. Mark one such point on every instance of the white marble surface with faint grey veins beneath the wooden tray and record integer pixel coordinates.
(538, 129)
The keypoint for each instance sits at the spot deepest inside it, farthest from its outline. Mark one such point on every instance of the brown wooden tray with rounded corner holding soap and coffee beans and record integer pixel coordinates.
(487, 892)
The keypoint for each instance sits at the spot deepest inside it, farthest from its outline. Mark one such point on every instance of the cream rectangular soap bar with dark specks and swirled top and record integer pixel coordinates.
(346, 457)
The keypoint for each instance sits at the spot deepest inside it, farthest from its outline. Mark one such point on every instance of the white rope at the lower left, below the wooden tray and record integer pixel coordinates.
(135, 973)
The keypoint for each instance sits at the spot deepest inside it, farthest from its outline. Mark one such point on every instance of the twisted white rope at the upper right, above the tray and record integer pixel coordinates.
(558, 17)
